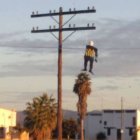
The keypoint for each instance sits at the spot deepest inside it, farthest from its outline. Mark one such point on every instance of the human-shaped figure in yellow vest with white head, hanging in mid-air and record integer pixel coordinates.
(91, 54)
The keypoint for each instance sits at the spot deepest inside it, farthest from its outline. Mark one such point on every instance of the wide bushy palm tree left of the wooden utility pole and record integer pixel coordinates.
(41, 117)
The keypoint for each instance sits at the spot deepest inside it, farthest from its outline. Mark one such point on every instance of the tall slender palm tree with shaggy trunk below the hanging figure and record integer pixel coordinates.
(82, 88)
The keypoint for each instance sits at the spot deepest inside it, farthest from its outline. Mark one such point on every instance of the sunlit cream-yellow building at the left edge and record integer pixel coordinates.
(7, 120)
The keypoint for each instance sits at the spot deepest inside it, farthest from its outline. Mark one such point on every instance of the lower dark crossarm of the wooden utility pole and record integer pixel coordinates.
(63, 29)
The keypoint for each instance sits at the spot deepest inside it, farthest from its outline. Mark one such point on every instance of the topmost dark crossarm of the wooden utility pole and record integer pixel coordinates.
(63, 13)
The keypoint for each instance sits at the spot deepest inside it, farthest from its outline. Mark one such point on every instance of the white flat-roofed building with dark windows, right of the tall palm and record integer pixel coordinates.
(113, 123)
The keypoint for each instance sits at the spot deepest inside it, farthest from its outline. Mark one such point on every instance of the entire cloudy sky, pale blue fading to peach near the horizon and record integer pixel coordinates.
(28, 62)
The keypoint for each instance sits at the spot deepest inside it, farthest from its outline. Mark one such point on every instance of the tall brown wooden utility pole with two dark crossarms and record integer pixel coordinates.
(60, 30)
